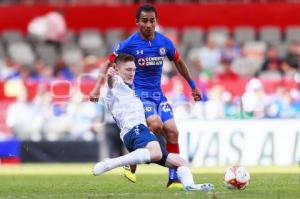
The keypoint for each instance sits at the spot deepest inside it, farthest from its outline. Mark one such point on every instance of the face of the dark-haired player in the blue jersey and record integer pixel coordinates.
(146, 24)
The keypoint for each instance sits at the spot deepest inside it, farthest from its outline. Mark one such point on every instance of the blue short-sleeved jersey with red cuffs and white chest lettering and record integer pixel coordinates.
(149, 59)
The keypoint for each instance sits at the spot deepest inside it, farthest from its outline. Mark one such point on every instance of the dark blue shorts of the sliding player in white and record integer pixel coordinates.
(139, 136)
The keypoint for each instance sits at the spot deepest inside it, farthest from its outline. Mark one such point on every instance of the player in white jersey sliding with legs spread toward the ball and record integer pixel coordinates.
(127, 109)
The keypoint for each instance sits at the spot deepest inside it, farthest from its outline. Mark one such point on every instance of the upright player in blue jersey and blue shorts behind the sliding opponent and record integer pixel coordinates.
(150, 48)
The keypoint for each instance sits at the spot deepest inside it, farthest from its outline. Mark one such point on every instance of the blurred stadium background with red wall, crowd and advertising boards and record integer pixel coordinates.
(251, 80)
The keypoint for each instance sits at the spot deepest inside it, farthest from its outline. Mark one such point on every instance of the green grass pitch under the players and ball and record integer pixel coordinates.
(75, 181)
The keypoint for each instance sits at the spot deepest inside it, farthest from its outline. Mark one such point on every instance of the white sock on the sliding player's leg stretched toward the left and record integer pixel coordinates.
(138, 156)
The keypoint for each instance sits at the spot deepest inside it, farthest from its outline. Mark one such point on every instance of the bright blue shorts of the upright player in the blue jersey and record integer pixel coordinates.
(158, 107)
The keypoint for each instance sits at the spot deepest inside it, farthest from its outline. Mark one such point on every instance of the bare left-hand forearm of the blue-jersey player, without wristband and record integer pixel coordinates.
(95, 93)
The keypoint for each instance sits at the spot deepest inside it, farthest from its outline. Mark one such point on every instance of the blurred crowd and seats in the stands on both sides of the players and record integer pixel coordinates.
(214, 55)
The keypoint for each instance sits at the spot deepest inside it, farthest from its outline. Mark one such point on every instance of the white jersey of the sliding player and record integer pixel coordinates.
(126, 108)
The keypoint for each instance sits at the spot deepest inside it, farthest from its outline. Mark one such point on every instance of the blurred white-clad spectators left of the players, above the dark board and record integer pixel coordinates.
(45, 119)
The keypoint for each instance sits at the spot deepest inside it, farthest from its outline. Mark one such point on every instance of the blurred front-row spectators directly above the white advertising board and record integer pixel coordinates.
(254, 103)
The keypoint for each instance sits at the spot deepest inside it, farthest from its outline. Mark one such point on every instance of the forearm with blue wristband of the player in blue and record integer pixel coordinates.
(183, 70)
